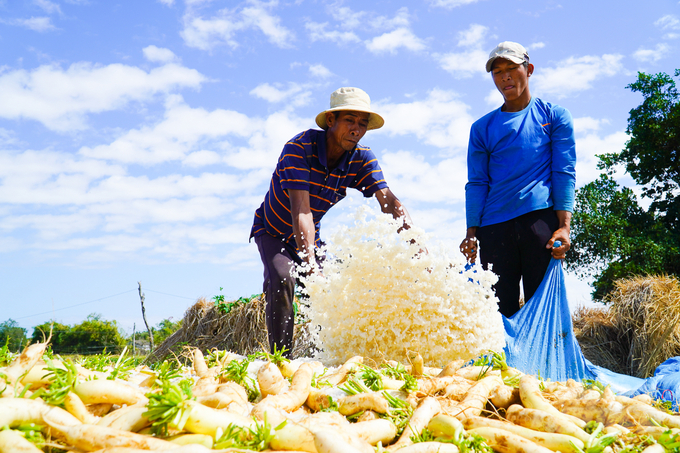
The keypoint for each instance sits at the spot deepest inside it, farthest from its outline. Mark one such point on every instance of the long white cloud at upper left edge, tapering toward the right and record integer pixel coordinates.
(61, 99)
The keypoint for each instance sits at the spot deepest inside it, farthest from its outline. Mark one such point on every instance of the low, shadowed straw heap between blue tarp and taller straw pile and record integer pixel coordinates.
(599, 339)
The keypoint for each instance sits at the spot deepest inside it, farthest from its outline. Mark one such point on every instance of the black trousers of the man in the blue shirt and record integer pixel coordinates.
(516, 251)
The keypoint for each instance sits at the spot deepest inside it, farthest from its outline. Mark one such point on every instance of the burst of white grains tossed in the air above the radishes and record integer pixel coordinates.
(378, 297)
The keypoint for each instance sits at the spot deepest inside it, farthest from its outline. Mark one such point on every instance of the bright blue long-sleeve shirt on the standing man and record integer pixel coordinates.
(520, 162)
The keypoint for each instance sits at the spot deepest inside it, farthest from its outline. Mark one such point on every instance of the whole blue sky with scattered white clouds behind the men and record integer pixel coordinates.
(138, 137)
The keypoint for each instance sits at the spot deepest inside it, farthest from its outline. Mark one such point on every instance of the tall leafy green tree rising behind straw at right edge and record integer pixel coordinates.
(615, 237)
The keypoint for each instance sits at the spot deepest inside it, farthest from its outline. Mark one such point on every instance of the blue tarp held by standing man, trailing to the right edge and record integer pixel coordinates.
(540, 340)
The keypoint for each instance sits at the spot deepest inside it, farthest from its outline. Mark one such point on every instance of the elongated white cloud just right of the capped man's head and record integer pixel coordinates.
(575, 74)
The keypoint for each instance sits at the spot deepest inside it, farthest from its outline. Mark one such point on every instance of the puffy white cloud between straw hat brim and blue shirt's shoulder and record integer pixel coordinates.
(441, 120)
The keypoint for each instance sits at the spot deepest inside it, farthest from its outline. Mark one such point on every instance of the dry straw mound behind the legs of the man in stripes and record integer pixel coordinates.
(243, 331)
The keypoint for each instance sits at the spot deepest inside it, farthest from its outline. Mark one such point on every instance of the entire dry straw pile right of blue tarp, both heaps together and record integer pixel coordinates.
(639, 329)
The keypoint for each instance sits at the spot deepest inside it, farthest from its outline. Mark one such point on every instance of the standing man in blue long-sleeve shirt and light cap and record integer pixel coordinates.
(521, 180)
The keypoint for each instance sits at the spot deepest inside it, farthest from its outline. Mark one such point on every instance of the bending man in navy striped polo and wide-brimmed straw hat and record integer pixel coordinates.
(313, 173)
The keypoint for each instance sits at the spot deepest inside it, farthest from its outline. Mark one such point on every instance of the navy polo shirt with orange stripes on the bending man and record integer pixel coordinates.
(303, 166)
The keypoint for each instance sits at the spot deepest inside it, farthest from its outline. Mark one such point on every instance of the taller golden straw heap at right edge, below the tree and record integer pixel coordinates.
(646, 312)
